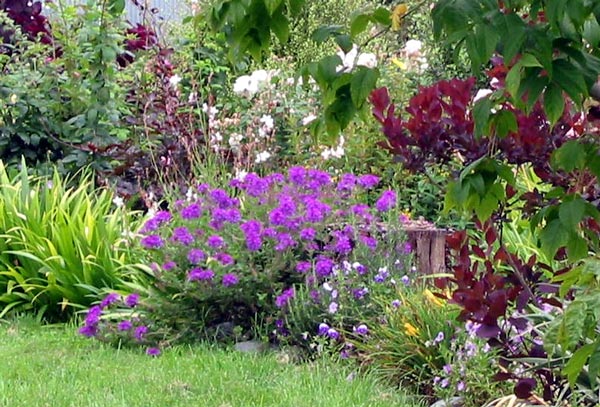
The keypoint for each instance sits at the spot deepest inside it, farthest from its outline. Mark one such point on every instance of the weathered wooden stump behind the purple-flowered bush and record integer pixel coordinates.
(429, 246)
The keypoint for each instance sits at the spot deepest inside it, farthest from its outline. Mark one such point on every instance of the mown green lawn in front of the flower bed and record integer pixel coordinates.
(51, 366)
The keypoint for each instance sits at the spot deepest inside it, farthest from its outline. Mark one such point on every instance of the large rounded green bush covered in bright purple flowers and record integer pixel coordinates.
(234, 262)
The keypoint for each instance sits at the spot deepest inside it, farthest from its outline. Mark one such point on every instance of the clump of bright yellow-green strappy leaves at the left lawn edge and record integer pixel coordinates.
(60, 245)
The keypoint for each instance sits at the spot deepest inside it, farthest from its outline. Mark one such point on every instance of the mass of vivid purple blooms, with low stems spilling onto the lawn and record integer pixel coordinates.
(254, 246)
